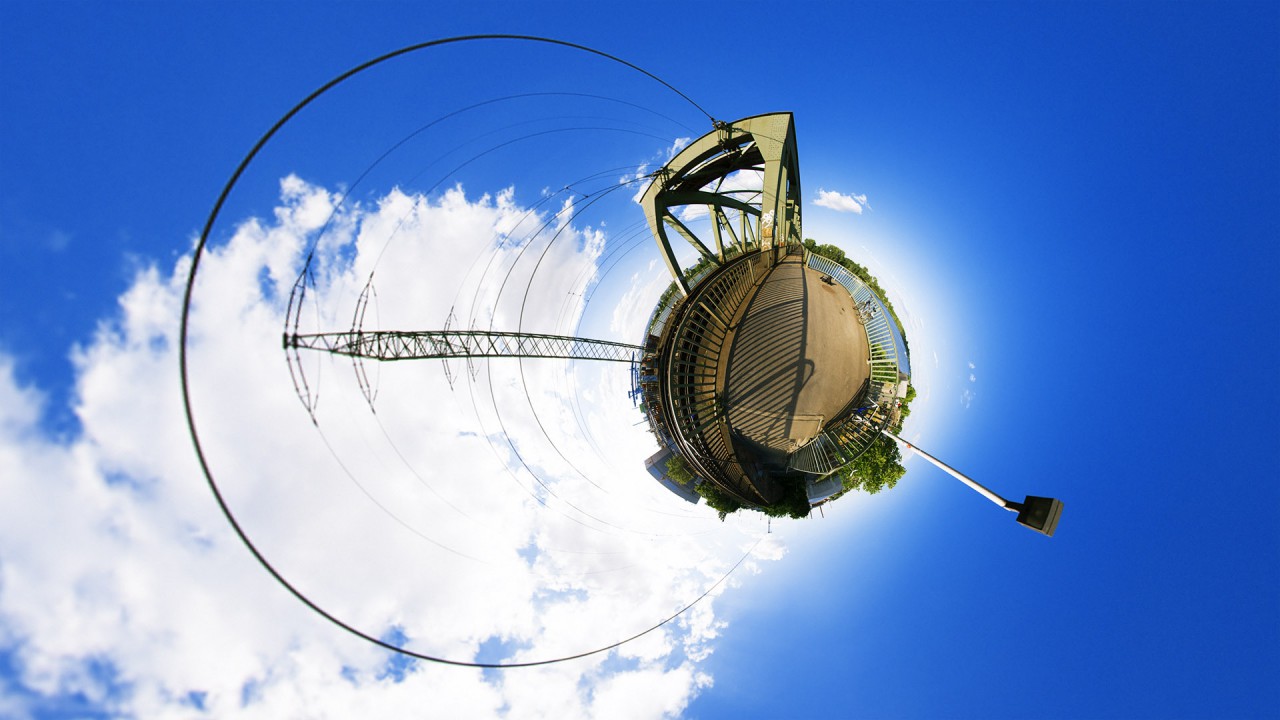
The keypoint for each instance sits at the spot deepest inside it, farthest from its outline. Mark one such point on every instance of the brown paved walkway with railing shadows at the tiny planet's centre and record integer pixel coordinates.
(797, 358)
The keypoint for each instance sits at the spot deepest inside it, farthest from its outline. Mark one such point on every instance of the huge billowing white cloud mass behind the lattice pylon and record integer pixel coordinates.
(470, 520)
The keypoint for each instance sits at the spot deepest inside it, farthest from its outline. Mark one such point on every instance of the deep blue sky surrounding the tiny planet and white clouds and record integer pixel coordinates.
(1076, 204)
